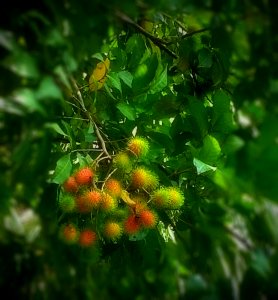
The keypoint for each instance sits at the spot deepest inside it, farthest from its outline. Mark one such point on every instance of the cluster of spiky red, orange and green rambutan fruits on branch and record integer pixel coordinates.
(121, 198)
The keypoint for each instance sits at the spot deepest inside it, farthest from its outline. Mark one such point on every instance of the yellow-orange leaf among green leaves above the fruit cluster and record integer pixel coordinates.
(98, 77)
